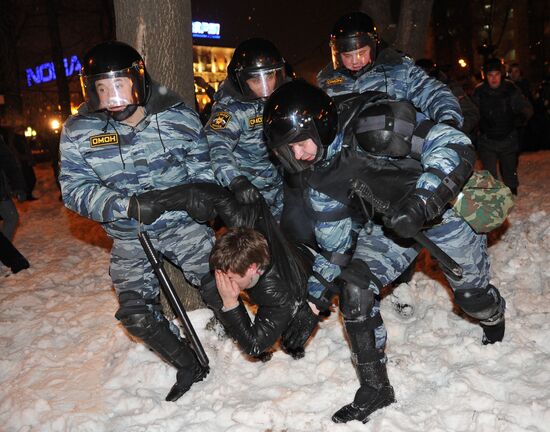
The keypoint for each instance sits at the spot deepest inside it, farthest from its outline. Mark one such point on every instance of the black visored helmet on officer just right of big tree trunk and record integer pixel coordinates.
(256, 62)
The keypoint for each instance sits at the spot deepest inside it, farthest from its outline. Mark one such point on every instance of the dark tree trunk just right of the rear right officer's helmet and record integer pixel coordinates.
(412, 28)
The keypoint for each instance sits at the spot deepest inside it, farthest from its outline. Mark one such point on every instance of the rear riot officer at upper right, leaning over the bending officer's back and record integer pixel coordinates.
(361, 62)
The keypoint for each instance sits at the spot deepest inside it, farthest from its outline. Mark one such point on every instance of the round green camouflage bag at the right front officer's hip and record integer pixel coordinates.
(484, 202)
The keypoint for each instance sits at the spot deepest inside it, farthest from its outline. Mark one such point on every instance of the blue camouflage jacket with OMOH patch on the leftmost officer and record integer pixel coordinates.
(105, 162)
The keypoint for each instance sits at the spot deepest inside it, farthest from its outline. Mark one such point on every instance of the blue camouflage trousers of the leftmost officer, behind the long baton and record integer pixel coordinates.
(187, 245)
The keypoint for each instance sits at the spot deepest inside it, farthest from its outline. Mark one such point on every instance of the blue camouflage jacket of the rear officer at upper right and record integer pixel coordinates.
(397, 75)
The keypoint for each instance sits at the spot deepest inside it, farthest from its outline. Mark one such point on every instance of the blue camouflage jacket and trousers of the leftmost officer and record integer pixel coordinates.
(105, 162)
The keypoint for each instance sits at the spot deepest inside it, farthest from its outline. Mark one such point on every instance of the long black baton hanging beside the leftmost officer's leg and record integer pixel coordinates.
(175, 302)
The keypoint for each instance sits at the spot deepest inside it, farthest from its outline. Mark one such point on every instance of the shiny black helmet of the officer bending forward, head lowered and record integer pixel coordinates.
(295, 112)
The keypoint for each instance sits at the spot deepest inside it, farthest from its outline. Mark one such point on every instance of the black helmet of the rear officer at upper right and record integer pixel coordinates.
(350, 33)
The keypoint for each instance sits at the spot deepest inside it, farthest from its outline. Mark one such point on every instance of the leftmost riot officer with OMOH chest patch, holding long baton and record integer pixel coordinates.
(132, 135)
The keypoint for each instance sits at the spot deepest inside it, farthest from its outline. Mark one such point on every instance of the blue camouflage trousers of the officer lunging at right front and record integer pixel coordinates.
(387, 258)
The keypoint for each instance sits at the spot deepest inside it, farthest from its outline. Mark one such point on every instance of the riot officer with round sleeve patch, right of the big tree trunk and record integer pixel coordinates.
(237, 148)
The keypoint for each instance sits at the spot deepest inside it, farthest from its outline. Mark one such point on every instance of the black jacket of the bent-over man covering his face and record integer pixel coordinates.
(279, 292)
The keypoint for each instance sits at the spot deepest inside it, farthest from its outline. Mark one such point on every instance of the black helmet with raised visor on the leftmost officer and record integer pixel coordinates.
(108, 61)
